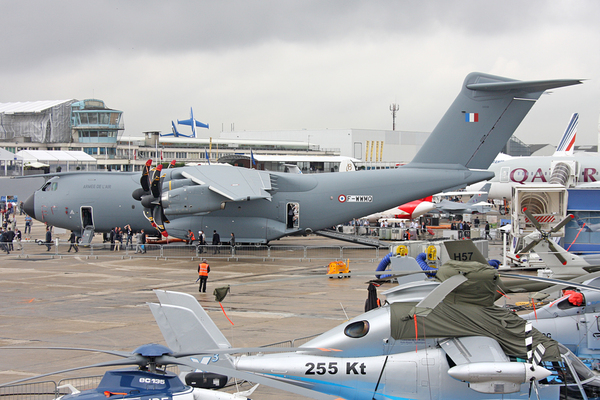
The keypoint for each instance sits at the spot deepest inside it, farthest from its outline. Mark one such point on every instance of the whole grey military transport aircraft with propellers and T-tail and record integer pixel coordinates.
(260, 206)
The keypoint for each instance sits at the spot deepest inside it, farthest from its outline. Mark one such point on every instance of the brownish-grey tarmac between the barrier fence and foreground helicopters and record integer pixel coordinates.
(102, 304)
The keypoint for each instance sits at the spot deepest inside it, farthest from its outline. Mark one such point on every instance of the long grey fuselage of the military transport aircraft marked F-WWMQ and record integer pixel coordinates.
(318, 201)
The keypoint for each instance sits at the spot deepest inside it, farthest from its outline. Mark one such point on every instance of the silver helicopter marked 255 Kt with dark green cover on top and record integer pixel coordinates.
(449, 343)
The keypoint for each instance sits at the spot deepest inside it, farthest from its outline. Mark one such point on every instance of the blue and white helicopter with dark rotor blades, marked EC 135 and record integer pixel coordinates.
(150, 380)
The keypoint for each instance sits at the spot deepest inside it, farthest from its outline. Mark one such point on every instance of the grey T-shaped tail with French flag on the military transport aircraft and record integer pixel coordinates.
(482, 118)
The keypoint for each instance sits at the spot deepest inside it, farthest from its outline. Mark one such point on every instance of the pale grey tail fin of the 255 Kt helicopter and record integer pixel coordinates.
(185, 325)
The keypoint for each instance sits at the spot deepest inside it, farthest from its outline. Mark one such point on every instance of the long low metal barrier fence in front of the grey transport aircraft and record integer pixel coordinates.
(181, 250)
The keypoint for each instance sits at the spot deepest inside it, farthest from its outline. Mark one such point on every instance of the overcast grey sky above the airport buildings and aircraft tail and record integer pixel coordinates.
(283, 65)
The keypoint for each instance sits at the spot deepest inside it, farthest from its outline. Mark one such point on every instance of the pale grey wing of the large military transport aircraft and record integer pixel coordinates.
(235, 184)
